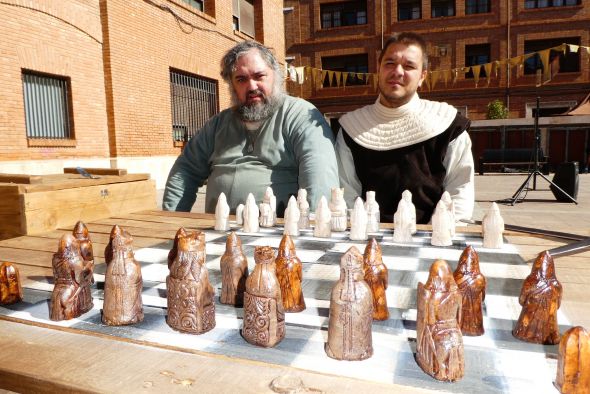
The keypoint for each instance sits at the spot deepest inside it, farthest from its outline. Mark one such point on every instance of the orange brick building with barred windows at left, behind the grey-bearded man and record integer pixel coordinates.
(117, 83)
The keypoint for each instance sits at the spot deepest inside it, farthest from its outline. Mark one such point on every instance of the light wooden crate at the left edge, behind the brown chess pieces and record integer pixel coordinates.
(39, 203)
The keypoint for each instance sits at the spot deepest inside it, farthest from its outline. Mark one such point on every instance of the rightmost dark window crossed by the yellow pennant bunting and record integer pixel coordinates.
(570, 62)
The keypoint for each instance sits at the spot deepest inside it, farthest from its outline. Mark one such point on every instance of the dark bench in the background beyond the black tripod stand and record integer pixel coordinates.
(503, 158)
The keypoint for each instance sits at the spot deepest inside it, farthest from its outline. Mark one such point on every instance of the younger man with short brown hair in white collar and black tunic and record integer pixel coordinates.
(403, 142)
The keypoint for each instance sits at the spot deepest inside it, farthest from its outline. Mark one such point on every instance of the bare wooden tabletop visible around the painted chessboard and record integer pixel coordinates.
(45, 358)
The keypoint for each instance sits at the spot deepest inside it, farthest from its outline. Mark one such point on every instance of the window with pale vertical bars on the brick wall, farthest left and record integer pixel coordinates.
(47, 106)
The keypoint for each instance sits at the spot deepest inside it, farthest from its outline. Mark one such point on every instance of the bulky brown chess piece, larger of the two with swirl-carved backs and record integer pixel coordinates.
(191, 298)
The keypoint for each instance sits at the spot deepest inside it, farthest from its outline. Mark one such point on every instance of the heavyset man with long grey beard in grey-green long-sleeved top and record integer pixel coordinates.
(266, 138)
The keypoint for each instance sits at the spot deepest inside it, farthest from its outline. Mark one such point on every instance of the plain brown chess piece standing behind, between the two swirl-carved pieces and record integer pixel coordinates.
(234, 272)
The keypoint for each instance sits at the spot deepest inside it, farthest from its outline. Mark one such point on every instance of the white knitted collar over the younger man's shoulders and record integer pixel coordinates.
(382, 128)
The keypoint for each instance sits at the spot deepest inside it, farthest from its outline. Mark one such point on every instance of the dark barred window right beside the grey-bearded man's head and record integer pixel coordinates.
(194, 101)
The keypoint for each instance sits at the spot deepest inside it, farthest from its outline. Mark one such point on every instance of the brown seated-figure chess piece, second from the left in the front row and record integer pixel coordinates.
(71, 277)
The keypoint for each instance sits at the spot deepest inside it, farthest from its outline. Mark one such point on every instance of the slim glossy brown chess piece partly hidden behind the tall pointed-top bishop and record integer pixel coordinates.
(376, 276)
